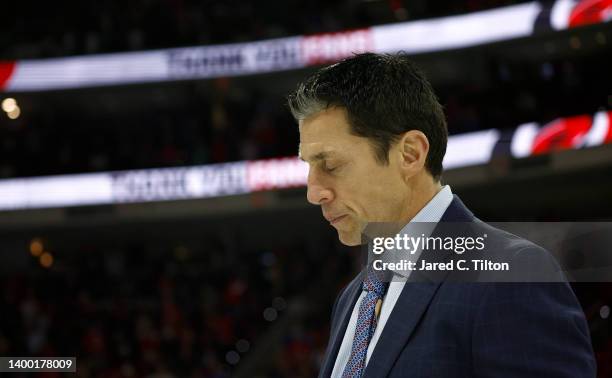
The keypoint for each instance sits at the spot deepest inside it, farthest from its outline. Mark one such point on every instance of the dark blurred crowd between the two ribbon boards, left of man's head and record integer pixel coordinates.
(216, 129)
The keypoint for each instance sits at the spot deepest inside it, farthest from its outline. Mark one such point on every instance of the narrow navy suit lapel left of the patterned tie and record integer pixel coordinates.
(337, 334)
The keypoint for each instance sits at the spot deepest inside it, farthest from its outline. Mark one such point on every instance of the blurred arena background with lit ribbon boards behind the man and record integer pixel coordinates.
(128, 241)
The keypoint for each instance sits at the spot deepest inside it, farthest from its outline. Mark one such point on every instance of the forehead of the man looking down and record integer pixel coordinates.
(327, 134)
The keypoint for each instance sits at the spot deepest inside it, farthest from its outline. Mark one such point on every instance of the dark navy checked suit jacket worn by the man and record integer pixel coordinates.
(449, 329)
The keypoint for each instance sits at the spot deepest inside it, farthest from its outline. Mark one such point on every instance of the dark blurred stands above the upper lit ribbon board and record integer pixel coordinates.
(45, 29)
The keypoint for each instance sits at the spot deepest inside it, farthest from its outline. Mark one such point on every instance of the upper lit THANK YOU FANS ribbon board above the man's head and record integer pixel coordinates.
(296, 52)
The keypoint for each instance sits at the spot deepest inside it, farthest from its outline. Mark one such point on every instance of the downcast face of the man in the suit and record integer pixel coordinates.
(346, 179)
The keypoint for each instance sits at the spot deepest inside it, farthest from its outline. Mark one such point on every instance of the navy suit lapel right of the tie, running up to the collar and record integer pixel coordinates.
(411, 305)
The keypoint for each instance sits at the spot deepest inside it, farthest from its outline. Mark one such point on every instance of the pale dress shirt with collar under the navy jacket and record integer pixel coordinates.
(432, 212)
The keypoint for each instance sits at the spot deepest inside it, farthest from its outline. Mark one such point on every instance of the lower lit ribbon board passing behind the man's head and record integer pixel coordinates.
(215, 180)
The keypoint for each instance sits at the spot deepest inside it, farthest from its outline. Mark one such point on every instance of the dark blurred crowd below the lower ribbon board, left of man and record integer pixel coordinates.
(167, 310)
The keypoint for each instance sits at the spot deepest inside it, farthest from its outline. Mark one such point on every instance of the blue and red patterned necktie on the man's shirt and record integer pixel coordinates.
(366, 325)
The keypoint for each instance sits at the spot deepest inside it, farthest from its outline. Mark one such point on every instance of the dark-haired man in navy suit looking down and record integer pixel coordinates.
(374, 136)
